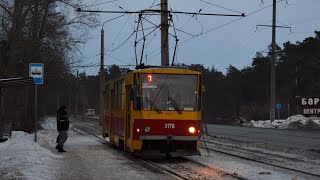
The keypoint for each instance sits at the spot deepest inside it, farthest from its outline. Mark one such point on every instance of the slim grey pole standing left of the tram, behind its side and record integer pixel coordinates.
(101, 75)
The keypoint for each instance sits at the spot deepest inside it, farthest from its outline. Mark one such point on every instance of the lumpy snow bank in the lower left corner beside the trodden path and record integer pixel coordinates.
(21, 158)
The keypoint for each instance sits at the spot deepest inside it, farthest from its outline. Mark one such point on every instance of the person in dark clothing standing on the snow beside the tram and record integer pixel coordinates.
(63, 127)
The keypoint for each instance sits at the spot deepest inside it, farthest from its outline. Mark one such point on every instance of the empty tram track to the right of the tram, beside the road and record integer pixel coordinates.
(287, 163)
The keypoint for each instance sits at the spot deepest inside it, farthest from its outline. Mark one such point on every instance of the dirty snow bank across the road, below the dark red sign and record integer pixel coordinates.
(295, 122)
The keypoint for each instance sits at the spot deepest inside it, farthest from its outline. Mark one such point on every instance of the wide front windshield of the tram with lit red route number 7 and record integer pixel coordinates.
(169, 92)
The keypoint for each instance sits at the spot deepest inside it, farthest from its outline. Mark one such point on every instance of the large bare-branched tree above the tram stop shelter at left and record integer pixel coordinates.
(46, 31)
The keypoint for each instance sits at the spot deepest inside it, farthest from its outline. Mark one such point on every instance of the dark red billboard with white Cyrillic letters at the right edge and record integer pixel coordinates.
(309, 105)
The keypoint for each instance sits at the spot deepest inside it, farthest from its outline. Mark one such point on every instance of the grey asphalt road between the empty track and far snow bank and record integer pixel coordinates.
(301, 139)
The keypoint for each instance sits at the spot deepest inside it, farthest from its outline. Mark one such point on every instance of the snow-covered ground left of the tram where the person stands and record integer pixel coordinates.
(86, 158)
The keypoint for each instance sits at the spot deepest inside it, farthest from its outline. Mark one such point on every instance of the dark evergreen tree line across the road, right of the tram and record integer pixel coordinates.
(245, 93)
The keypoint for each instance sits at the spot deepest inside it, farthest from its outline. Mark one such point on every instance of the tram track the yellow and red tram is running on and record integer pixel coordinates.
(181, 168)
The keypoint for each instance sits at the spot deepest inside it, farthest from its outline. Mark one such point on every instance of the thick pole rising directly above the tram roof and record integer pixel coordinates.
(164, 34)
